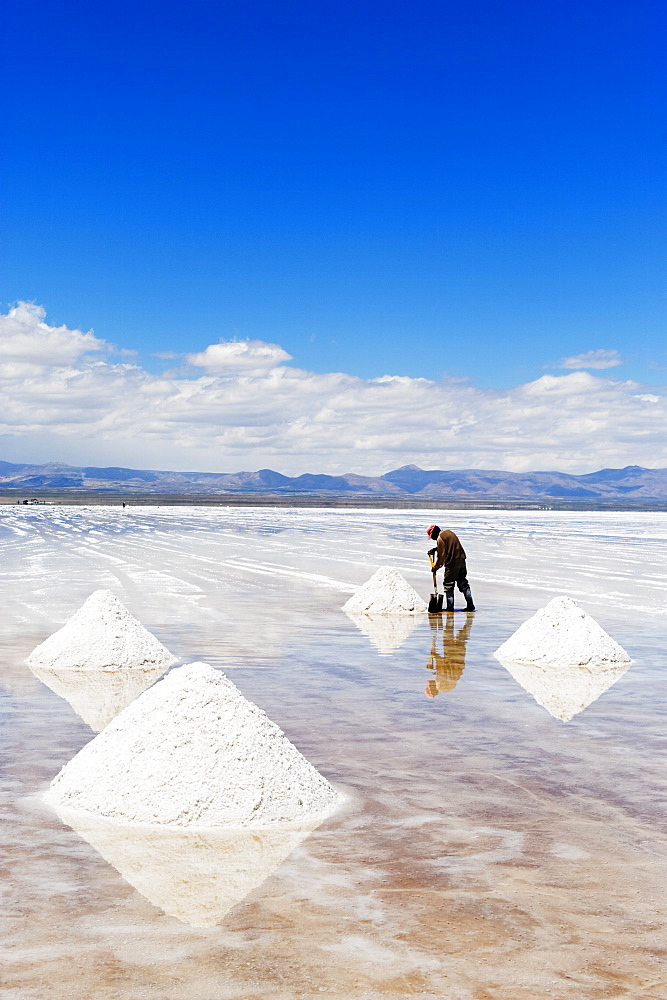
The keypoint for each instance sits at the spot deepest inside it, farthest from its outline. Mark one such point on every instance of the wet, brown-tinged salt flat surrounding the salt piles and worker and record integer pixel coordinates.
(488, 850)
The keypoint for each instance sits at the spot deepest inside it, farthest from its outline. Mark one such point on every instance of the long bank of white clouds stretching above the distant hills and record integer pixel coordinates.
(70, 407)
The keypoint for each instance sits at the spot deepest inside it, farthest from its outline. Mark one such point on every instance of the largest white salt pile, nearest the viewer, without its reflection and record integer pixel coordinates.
(193, 752)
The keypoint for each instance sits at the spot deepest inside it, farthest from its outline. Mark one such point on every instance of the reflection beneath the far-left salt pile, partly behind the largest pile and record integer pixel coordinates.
(99, 695)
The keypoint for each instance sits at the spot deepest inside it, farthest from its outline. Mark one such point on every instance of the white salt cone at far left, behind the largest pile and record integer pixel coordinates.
(101, 635)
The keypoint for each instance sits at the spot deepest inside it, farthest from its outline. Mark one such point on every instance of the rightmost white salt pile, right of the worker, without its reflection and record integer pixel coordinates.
(561, 634)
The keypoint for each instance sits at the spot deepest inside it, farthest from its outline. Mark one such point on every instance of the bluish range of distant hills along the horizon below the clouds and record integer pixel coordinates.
(631, 483)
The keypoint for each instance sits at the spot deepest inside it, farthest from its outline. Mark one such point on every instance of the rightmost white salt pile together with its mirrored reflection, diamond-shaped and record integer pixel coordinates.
(563, 658)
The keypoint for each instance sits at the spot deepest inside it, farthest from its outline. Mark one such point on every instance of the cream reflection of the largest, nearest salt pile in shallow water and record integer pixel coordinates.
(195, 876)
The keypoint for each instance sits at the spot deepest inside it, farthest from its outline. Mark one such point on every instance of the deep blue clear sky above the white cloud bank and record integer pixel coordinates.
(432, 190)
